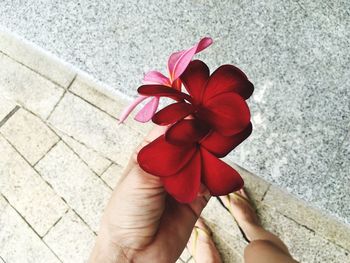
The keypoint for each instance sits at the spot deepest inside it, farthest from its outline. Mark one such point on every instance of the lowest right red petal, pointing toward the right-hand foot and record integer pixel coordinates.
(218, 176)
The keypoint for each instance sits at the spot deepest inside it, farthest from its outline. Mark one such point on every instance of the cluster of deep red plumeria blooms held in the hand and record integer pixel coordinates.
(218, 119)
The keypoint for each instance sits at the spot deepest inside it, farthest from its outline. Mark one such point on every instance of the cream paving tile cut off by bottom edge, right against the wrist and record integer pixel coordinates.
(75, 247)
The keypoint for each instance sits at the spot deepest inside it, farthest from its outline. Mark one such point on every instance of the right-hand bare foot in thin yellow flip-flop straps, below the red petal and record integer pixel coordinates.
(240, 207)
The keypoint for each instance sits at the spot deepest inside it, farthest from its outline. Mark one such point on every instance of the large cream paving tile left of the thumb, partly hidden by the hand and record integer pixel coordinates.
(75, 182)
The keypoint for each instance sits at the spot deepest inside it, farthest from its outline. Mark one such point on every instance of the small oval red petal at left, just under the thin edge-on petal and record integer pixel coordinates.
(172, 113)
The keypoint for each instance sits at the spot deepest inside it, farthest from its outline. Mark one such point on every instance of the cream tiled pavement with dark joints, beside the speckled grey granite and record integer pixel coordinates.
(61, 152)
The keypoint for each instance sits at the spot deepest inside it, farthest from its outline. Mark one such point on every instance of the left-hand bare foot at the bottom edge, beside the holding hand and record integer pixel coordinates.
(201, 246)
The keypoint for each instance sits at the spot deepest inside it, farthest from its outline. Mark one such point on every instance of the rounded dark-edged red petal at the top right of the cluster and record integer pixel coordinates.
(228, 78)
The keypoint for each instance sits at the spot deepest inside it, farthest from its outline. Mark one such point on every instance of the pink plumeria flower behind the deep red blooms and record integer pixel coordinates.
(177, 64)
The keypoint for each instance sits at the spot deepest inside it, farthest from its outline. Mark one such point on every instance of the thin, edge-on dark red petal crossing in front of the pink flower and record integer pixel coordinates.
(162, 91)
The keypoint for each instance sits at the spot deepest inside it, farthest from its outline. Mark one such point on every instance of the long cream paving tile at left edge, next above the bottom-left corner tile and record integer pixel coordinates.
(27, 191)
